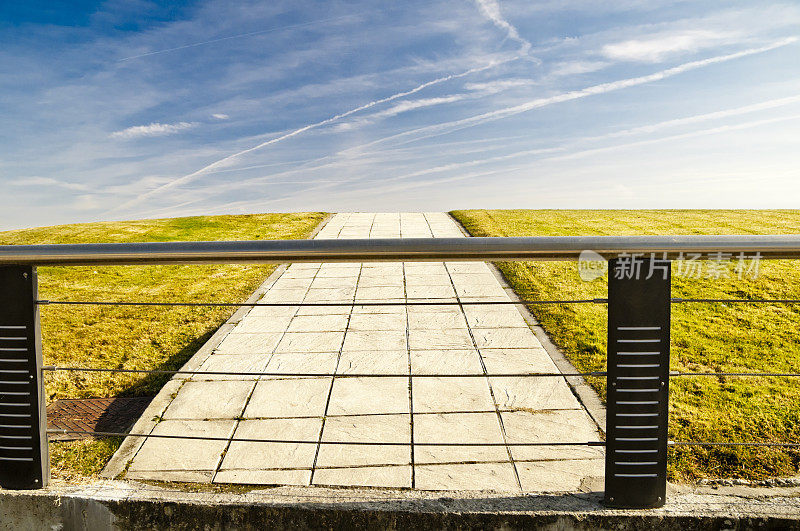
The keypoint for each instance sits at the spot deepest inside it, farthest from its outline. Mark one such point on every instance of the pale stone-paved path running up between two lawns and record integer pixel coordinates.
(398, 340)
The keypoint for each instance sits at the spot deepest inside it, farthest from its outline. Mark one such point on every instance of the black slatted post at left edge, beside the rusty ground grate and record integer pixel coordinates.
(24, 458)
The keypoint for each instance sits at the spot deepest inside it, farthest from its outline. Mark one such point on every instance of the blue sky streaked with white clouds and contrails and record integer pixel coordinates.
(126, 109)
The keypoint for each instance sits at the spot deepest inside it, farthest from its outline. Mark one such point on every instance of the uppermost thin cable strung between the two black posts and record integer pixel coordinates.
(318, 304)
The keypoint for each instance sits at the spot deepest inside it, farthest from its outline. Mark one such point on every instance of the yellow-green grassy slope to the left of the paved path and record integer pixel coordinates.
(138, 337)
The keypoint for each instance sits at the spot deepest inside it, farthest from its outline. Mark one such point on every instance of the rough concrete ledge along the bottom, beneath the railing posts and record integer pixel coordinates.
(131, 505)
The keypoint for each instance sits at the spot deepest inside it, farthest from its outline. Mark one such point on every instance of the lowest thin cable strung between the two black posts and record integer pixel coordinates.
(301, 441)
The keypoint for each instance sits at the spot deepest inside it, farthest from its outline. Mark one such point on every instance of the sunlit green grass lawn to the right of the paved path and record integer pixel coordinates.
(714, 337)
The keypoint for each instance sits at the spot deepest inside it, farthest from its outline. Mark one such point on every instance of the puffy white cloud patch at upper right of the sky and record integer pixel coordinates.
(660, 46)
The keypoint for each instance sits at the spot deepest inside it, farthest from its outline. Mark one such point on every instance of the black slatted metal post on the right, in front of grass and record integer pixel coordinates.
(638, 382)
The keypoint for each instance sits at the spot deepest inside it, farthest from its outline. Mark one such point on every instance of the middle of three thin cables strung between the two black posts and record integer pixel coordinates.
(317, 374)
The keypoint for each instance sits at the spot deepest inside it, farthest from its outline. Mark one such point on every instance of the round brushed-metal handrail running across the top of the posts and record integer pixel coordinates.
(405, 249)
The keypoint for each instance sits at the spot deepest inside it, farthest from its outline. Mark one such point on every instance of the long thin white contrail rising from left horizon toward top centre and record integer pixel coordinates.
(191, 176)
